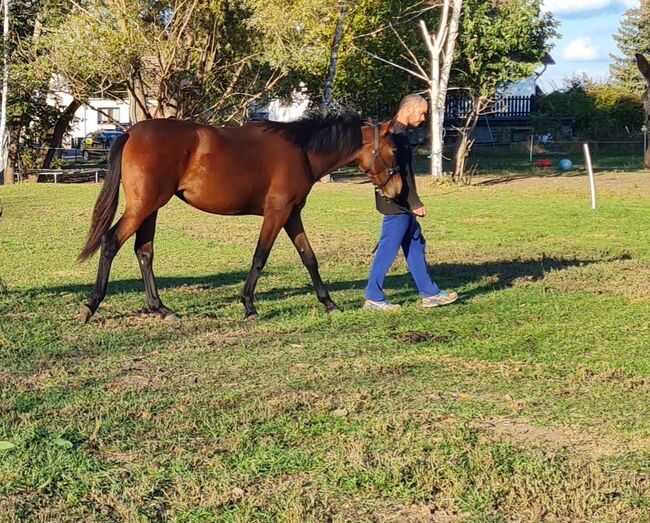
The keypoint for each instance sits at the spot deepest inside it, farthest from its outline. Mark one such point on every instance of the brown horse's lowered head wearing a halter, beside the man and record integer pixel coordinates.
(377, 159)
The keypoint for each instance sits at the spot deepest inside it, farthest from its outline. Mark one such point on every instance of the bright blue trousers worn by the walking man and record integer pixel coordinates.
(400, 230)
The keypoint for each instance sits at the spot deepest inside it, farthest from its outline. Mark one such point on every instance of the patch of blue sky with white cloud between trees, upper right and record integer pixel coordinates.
(587, 28)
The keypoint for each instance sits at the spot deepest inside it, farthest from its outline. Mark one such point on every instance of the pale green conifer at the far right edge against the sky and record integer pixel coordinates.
(633, 37)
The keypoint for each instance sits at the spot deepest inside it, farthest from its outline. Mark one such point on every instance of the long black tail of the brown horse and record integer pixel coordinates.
(106, 204)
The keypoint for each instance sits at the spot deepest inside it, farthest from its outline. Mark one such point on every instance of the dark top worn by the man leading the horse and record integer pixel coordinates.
(408, 198)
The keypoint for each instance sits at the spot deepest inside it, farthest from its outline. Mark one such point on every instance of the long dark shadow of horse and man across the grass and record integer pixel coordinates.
(483, 277)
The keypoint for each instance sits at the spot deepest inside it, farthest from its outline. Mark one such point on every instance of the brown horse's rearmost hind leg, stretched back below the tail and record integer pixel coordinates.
(111, 244)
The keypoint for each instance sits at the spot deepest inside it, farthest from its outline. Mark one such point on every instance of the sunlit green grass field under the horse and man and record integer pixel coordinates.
(526, 401)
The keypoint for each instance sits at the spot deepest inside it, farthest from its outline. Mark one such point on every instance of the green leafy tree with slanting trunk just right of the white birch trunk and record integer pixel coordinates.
(500, 41)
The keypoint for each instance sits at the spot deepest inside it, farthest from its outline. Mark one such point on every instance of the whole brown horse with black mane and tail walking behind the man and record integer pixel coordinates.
(264, 169)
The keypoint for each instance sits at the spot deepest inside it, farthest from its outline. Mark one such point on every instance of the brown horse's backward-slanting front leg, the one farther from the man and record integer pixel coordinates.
(274, 220)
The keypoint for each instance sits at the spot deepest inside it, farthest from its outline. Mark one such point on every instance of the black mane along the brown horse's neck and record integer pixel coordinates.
(323, 135)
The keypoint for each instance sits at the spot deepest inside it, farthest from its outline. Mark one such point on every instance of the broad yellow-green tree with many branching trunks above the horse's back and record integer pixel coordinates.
(205, 60)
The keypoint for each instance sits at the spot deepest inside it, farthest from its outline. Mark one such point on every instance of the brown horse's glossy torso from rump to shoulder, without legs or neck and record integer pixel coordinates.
(222, 170)
